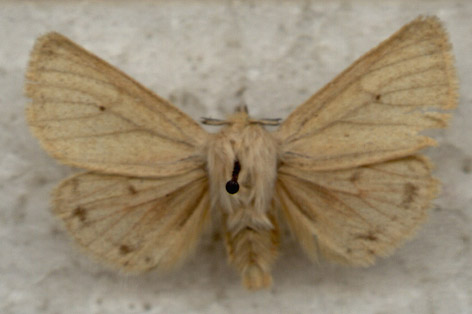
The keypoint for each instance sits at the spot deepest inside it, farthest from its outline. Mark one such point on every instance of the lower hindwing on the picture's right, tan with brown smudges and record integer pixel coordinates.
(355, 215)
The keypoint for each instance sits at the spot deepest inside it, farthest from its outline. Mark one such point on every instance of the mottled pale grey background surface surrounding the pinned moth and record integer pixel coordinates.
(208, 56)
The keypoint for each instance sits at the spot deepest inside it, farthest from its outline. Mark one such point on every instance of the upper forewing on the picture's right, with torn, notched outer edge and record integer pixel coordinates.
(374, 110)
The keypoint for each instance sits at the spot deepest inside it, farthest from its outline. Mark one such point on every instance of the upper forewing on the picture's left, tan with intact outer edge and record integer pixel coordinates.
(88, 114)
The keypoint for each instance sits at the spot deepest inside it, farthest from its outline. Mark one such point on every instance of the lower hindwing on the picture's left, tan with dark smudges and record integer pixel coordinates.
(134, 224)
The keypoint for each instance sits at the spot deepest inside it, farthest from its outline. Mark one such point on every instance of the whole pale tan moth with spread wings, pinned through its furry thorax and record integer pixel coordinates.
(343, 170)
